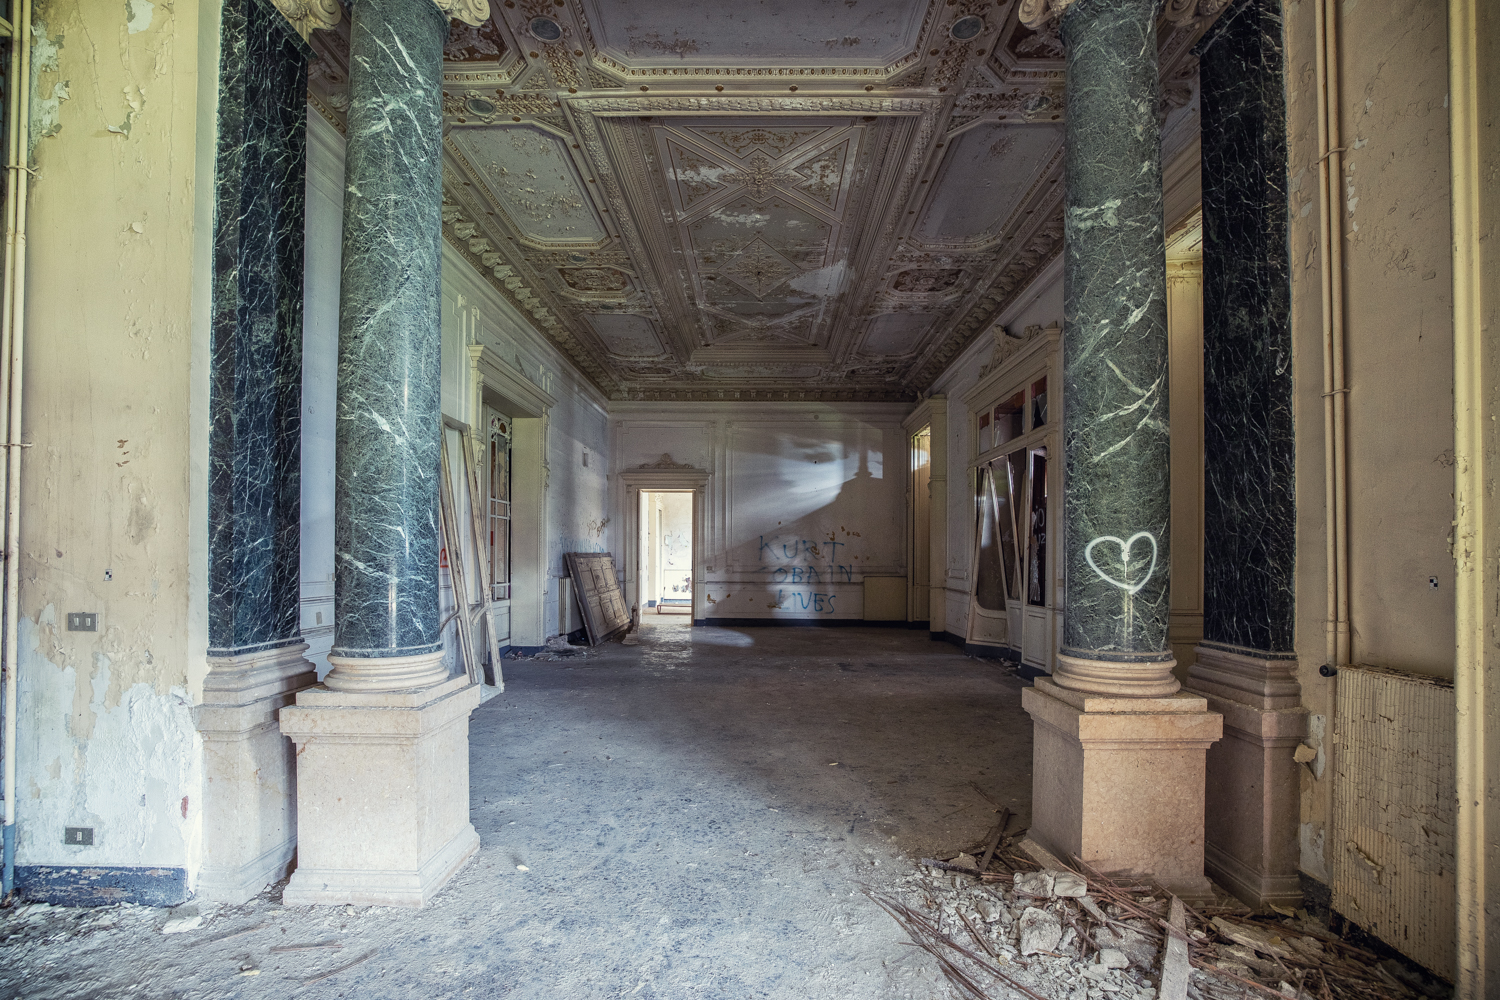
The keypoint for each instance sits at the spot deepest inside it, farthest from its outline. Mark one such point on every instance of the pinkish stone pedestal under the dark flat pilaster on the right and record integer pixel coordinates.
(1253, 795)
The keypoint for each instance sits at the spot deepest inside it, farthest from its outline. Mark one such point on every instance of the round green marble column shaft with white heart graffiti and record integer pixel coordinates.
(1118, 494)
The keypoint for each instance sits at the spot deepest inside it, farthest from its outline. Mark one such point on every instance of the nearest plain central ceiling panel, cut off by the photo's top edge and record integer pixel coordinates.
(661, 34)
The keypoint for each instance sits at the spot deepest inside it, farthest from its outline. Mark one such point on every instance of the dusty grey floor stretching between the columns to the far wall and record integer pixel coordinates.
(691, 818)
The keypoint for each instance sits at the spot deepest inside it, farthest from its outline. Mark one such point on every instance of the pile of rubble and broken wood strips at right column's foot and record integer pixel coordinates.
(1078, 935)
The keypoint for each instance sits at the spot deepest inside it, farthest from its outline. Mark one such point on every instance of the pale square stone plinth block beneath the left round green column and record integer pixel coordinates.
(382, 794)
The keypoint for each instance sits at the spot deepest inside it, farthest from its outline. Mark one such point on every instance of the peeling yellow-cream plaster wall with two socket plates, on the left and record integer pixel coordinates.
(115, 482)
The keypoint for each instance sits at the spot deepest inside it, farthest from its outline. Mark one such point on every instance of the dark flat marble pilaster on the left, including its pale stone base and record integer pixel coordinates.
(256, 653)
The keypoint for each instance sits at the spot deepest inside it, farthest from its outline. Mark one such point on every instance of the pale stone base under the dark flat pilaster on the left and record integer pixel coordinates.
(250, 809)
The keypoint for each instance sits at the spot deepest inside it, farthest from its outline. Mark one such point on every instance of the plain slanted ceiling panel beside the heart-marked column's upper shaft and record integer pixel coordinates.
(983, 179)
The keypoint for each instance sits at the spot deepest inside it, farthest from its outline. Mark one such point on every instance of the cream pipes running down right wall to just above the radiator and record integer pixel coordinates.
(1336, 391)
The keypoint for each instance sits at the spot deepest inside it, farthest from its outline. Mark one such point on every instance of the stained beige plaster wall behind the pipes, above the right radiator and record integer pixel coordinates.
(1399, 356)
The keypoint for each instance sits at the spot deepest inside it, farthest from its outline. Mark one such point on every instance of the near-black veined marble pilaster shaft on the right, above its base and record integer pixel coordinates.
(1250, 504)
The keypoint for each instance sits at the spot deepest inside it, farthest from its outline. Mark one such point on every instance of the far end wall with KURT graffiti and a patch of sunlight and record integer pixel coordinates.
(806, 500)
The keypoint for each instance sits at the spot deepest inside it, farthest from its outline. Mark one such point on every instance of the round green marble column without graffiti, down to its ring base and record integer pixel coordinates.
(389, 418)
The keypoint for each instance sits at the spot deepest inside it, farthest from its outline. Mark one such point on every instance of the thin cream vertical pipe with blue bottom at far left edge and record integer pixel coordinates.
(13, 341)
